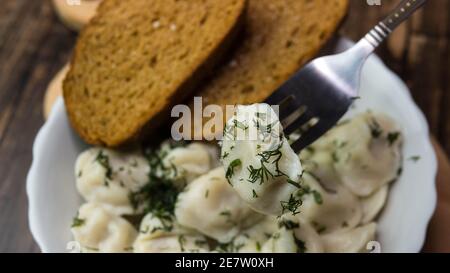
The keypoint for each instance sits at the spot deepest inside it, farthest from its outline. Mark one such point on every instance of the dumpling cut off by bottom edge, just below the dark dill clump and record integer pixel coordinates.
(164, 235)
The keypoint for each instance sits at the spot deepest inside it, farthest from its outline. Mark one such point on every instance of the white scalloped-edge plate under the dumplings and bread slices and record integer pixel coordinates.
(54, 201)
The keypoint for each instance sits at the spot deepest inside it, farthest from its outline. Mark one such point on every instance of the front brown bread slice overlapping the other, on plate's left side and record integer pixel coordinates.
(136, 59)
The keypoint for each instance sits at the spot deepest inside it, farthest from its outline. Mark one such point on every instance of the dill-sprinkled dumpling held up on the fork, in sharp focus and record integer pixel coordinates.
(259, 163)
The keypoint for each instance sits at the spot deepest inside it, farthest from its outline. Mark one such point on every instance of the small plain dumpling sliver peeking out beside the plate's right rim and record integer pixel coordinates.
(372, 205)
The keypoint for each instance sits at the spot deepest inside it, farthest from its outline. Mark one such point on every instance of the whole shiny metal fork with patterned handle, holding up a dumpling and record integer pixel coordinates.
(319, 95)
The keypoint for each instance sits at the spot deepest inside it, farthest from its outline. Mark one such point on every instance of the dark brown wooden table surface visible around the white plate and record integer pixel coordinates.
(34, 45)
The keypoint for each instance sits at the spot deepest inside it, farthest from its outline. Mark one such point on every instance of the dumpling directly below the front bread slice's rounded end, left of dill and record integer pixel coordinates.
(108, 177)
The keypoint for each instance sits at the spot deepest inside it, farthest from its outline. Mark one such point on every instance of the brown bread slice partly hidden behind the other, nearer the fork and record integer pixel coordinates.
(281, 36)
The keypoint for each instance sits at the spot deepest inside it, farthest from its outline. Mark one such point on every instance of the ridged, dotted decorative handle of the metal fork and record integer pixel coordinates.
(402, 12)
